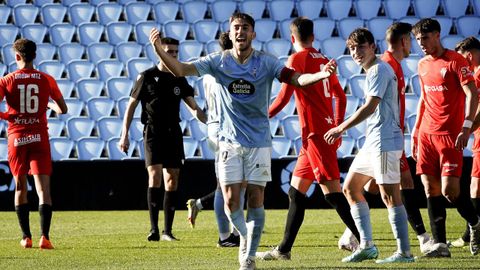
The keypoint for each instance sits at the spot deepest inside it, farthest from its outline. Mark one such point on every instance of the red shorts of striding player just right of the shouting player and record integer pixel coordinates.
(317, 160)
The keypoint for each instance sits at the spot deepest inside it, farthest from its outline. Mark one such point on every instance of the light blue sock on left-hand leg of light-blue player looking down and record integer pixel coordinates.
(361, 215)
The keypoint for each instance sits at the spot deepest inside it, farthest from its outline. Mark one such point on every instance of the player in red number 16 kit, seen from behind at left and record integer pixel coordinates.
(27, 92)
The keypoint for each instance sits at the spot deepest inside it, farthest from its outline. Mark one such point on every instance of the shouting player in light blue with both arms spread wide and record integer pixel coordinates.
(246, 76)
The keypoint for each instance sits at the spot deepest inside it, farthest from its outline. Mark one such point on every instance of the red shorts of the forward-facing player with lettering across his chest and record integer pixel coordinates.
(437, 155)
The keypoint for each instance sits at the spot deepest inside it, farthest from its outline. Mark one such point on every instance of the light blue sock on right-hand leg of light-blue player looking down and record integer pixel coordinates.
(398, 220)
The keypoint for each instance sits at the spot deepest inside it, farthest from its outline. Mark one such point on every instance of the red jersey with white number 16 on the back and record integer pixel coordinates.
(27, 92)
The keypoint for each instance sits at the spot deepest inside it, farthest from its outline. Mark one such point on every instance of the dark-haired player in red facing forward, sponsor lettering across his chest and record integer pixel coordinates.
(446, 109)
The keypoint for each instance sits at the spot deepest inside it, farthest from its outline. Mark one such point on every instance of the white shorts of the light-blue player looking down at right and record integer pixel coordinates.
(383, 166)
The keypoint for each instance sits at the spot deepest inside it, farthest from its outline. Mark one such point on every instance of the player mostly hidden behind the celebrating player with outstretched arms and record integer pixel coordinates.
(226, 237)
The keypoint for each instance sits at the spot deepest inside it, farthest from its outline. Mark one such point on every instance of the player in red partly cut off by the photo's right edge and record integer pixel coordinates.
(470, 49)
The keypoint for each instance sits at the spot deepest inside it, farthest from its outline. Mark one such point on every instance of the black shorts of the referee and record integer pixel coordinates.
(163, 146)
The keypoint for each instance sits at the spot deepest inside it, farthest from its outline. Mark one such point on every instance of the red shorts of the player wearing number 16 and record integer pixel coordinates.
(29, 153)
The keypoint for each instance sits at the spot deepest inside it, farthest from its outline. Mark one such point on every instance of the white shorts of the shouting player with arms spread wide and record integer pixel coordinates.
(237, 163)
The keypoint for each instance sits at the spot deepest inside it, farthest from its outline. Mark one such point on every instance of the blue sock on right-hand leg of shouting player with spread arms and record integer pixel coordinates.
(255, 223)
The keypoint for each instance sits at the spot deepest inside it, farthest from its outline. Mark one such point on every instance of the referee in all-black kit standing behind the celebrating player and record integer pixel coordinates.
(160, 94)
